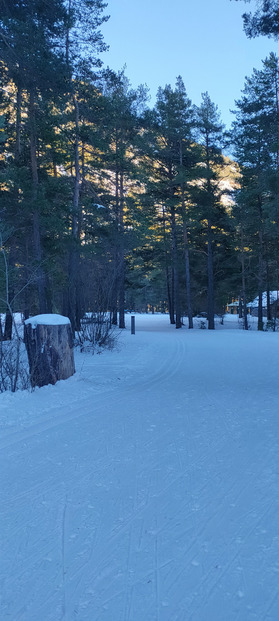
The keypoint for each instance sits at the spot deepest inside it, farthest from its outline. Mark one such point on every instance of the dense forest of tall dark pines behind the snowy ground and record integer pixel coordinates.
(107, 204)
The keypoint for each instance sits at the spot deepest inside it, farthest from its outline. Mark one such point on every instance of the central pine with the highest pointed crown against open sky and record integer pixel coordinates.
(168, 144)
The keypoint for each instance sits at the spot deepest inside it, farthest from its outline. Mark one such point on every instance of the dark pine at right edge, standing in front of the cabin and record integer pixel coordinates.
(256, 143)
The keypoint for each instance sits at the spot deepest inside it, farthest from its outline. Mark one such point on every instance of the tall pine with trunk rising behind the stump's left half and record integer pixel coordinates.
(30, 33)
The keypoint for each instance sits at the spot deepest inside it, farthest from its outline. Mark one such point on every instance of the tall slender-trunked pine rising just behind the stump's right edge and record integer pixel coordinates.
(83, 46)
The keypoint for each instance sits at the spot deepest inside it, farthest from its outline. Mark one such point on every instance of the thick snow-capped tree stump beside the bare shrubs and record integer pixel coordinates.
(49, 344)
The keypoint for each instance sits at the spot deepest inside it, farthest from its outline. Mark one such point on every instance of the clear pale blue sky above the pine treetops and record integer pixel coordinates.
(201, 40)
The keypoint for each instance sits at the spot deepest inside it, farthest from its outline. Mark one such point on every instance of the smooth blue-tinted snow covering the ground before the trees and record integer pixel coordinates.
(146, 487)
